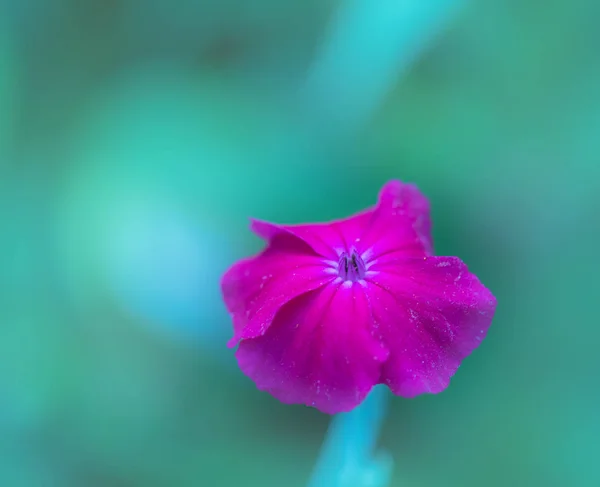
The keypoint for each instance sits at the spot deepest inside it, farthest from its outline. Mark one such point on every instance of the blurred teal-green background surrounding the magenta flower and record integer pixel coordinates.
(137, 137)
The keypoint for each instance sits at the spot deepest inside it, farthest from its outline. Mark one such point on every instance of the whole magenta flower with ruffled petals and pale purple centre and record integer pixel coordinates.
(328, 310)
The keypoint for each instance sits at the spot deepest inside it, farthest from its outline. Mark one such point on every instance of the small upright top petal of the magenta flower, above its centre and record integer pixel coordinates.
(400, 225)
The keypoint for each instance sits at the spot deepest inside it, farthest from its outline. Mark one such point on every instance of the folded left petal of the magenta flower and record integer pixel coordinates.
(254, 289)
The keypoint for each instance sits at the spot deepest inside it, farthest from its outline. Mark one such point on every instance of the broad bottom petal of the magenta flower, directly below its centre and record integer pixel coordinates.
(319, 351)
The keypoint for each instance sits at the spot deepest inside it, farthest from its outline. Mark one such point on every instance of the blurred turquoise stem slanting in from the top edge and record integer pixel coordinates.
(369, 45)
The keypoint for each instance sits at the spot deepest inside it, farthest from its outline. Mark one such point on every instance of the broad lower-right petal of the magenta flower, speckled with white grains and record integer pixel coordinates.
(441, 314)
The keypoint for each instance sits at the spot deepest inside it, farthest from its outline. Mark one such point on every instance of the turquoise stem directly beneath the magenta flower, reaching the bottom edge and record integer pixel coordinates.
(347, 456)
